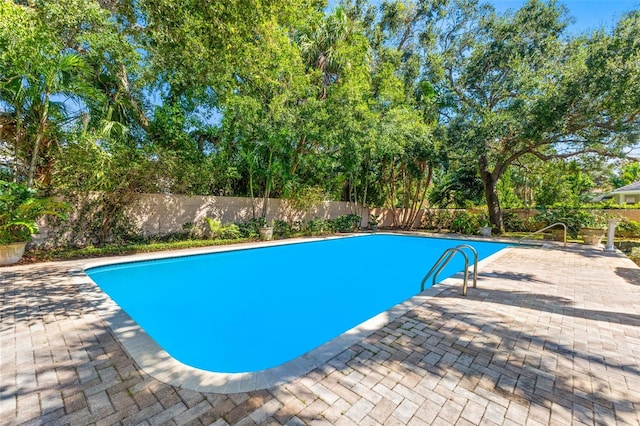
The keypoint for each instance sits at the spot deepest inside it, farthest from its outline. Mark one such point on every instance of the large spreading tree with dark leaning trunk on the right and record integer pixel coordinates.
(515, 89)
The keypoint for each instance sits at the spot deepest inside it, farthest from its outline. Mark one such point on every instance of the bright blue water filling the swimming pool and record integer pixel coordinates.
(248, 310)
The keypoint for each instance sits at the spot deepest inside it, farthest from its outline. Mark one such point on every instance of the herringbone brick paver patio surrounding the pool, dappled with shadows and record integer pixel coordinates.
(550, 336)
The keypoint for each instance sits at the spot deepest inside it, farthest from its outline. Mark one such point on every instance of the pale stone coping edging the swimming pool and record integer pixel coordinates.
(159, 364)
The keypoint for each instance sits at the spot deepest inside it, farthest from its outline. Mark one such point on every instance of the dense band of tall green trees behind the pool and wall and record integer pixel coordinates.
(280, 99)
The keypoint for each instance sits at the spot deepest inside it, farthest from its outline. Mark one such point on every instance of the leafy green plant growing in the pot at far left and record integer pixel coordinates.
(20, 209)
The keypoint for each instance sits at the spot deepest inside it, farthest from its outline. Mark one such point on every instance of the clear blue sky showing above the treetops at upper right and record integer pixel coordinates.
(587, 14)
